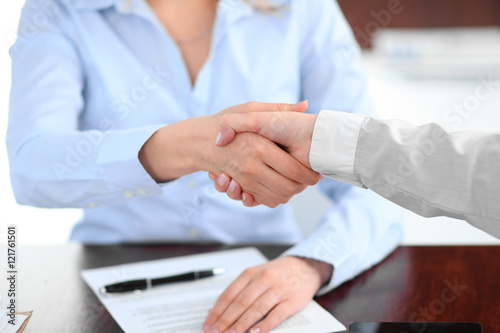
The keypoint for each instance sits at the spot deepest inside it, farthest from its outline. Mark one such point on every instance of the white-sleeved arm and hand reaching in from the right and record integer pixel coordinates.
(422, 168)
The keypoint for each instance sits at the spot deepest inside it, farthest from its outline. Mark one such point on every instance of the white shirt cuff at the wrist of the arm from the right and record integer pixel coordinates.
(334, 143)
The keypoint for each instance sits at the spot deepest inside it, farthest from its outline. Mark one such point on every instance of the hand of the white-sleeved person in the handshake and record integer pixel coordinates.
(292, 130)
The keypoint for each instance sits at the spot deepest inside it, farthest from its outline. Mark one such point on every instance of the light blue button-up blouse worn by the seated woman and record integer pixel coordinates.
(94, 79)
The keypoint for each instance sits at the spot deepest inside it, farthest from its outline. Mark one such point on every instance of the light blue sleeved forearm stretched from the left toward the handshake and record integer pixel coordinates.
(79, 169)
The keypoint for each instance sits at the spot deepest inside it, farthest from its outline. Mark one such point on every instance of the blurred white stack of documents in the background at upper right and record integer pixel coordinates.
(444, 53)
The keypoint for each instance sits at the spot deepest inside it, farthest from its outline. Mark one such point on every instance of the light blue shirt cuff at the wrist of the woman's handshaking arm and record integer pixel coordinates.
(119, 164)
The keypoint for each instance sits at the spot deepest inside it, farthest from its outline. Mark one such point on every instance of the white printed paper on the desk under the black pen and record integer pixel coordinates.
(182, 307)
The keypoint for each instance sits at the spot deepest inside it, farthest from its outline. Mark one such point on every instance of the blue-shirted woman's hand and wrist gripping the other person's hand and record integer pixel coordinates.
(254, 162)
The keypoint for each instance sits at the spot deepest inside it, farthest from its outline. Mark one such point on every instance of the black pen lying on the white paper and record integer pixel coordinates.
(148, 283)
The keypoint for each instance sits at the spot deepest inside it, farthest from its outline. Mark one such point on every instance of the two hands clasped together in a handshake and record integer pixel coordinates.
(275, 140)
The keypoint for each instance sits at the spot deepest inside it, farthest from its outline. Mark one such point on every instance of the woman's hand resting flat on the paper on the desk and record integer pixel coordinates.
(278, 289)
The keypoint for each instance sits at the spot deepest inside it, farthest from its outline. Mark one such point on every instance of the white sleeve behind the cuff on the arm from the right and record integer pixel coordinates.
(432, 172)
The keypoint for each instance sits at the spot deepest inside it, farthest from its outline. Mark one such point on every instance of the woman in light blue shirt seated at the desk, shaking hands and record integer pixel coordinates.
(115, 107)
